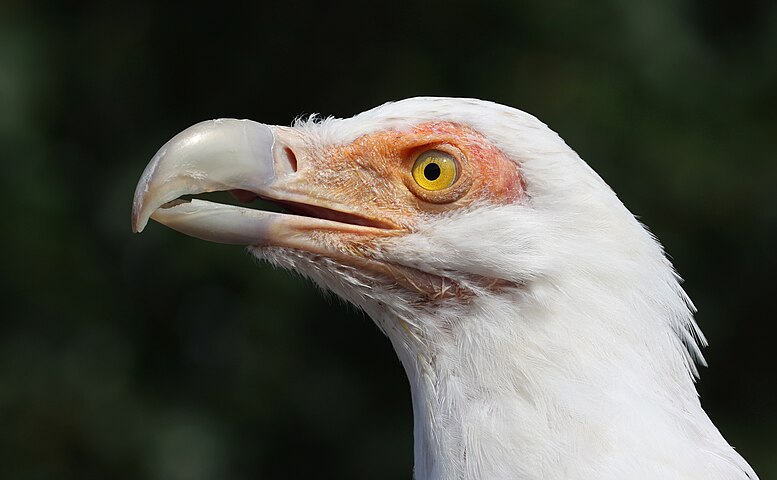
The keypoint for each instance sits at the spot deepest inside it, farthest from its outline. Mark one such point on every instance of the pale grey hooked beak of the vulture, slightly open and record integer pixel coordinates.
(251, 160)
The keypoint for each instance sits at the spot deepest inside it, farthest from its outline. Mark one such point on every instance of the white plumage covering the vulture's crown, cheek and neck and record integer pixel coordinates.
(570, 353)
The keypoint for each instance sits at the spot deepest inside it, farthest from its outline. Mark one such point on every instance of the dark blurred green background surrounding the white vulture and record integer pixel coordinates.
(163, 357)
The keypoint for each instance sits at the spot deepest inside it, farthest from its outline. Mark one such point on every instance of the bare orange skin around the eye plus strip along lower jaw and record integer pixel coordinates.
(369, 182)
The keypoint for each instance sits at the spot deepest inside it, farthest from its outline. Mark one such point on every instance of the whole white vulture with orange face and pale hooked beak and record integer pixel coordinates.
(543, 331)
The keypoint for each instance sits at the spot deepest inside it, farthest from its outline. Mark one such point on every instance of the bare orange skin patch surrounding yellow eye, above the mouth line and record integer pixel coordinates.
(372, 176)
